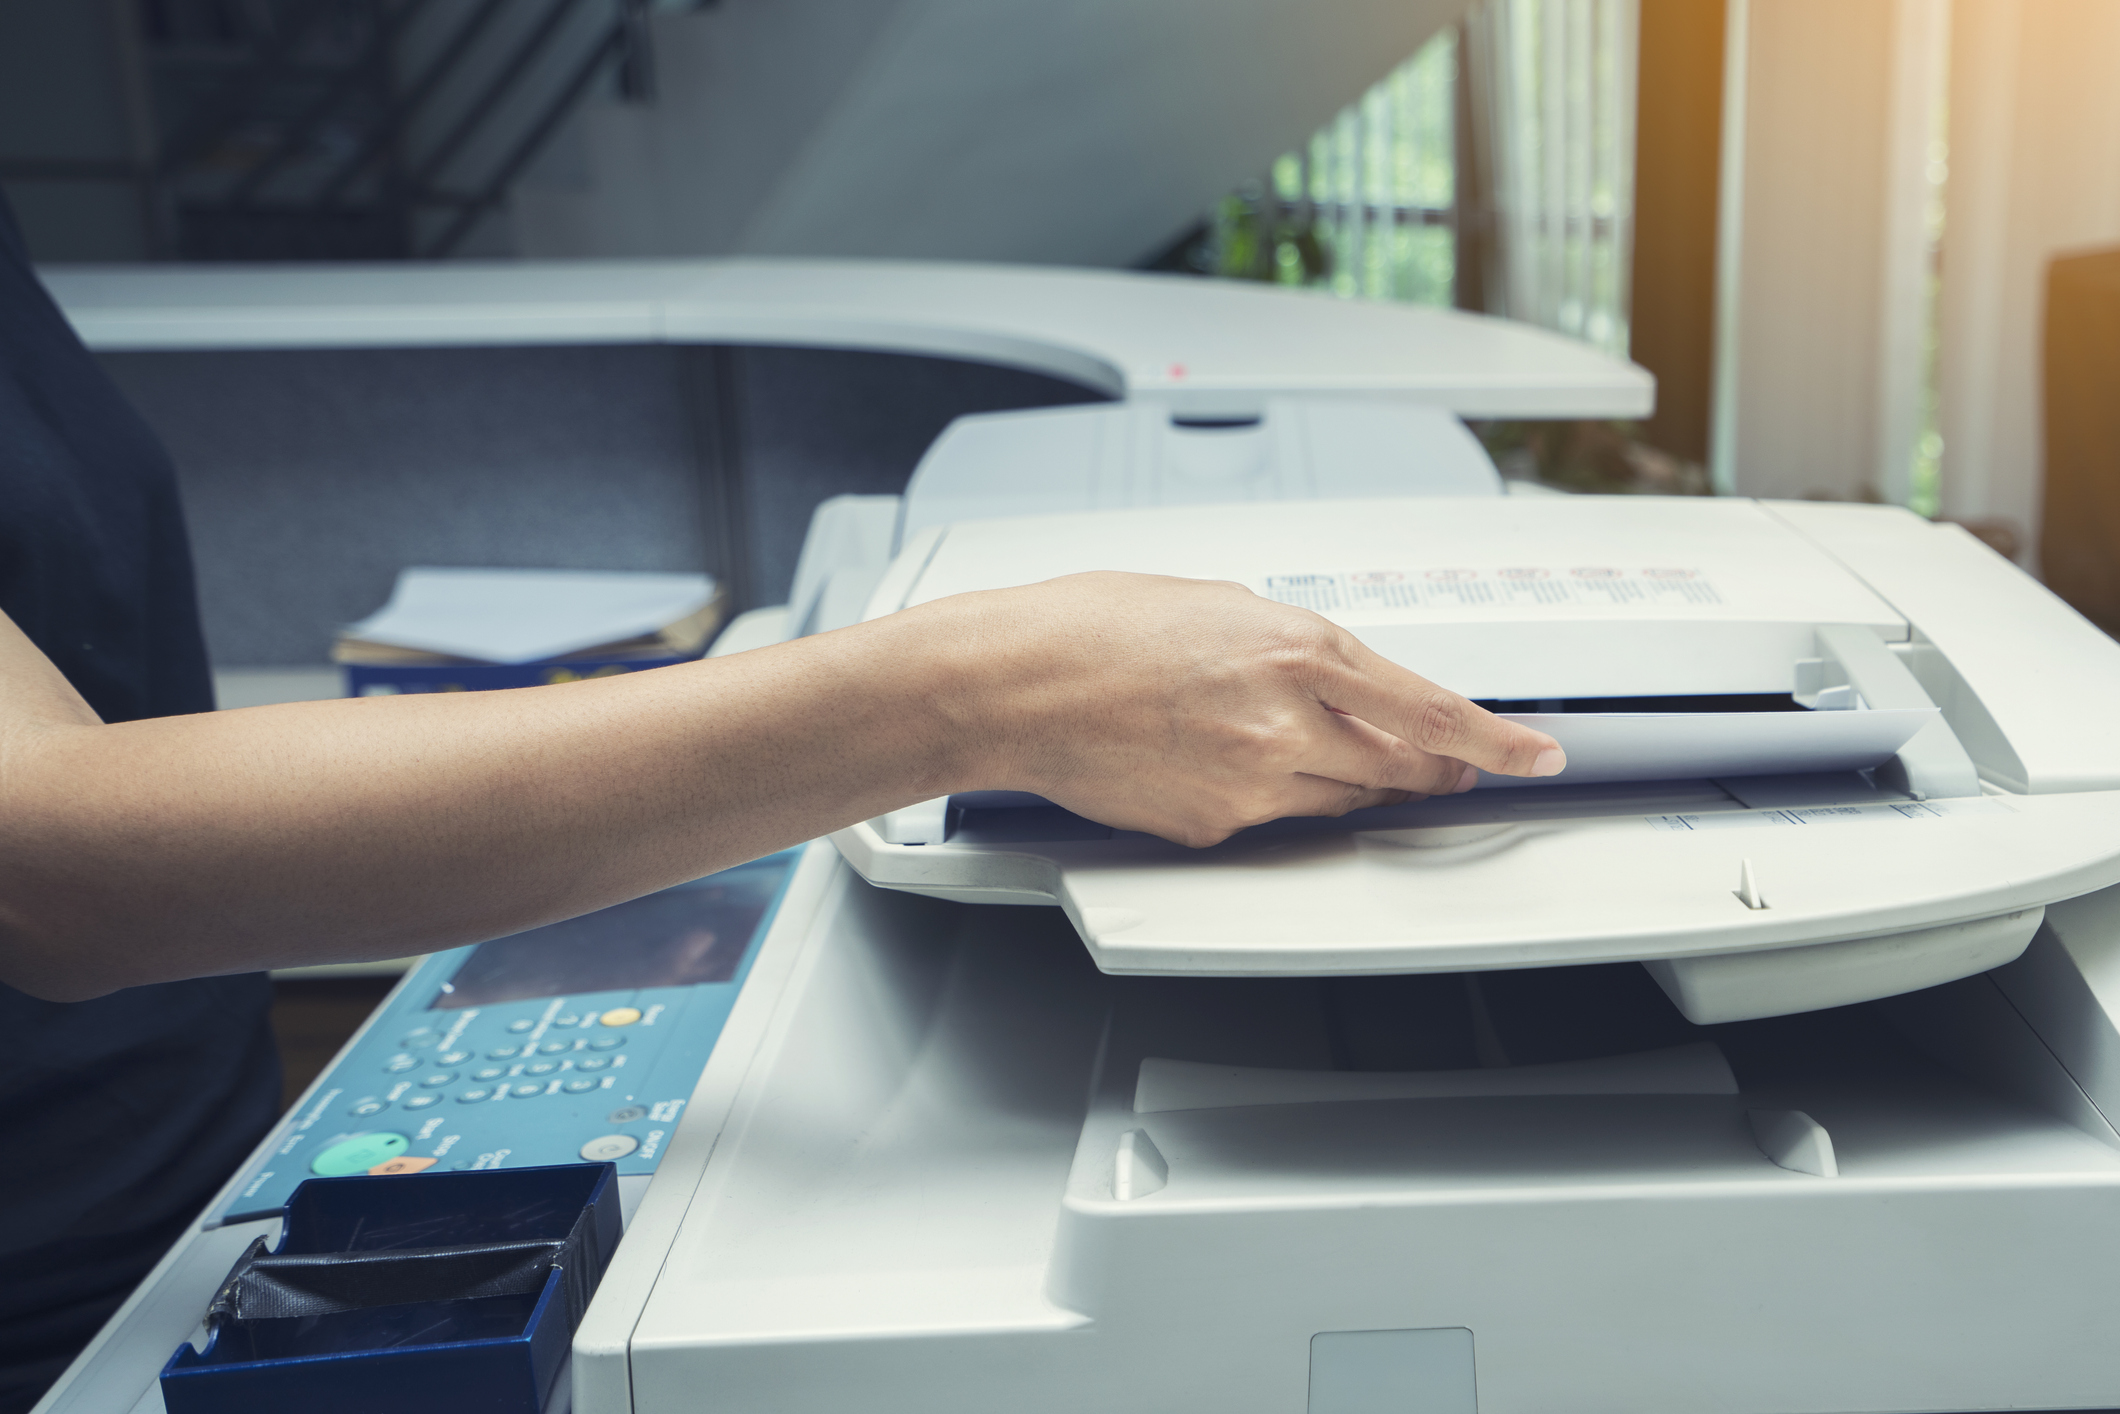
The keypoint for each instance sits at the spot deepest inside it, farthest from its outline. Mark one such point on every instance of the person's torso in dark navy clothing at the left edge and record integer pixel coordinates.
(126, 1112)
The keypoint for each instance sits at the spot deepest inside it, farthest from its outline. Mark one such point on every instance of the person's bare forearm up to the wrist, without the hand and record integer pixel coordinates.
(376, 828)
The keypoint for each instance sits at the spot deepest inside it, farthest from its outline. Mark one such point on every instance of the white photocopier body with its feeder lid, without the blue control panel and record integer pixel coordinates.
(1763, 1074)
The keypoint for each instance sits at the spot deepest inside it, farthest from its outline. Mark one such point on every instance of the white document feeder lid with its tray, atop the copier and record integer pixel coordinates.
(1875, 883)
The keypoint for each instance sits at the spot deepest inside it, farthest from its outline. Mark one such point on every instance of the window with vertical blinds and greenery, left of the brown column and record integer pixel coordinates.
(1525, 213)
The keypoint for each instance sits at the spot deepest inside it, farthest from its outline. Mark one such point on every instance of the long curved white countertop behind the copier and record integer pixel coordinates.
(1201, 344)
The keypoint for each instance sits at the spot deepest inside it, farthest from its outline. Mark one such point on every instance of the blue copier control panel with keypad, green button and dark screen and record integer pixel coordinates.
(576, 1042)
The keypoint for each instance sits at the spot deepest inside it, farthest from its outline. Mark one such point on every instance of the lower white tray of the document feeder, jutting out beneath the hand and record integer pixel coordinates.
(1561, 877)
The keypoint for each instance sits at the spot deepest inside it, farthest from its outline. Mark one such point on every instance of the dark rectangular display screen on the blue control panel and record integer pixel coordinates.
(675, 938)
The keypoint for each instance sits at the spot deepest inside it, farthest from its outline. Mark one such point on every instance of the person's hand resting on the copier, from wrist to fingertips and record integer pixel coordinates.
(1190, 709)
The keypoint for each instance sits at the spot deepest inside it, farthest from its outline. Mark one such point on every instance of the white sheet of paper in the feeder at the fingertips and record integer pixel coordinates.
(1706, 745)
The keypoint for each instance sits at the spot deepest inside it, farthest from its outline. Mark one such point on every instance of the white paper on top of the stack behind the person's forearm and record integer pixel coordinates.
(529, 616)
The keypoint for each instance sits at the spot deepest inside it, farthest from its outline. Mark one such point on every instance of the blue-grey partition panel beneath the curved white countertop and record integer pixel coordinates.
(313, 476)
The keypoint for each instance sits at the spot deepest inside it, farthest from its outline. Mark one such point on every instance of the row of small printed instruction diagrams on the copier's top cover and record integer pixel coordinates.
(1515, 586)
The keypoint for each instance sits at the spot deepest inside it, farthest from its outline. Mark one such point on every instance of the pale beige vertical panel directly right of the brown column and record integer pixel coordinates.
(1822, 294)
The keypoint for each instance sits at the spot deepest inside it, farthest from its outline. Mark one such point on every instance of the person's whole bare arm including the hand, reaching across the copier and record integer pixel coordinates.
(387, 826)
